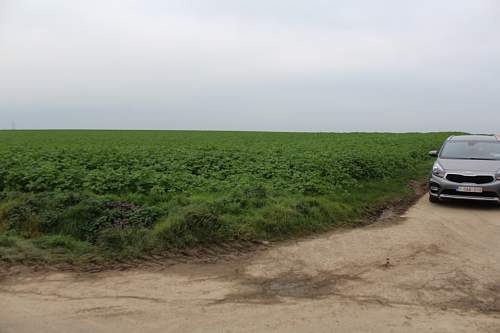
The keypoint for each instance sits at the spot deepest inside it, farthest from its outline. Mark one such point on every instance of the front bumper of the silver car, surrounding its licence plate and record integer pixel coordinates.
(444, 189)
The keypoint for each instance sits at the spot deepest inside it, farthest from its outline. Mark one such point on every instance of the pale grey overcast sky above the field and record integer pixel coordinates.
(308, 65)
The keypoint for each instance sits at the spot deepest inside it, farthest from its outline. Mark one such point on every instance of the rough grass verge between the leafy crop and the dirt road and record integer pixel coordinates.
(79, 228)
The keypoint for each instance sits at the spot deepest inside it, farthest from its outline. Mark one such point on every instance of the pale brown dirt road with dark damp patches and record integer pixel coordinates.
(443, 276)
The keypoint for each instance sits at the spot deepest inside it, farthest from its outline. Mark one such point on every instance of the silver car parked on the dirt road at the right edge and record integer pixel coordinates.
(467, 167)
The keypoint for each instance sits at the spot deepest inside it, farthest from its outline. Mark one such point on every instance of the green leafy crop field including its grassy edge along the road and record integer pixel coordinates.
(71, 195)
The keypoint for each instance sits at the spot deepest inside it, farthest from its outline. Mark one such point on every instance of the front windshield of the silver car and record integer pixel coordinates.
(473, 150)
